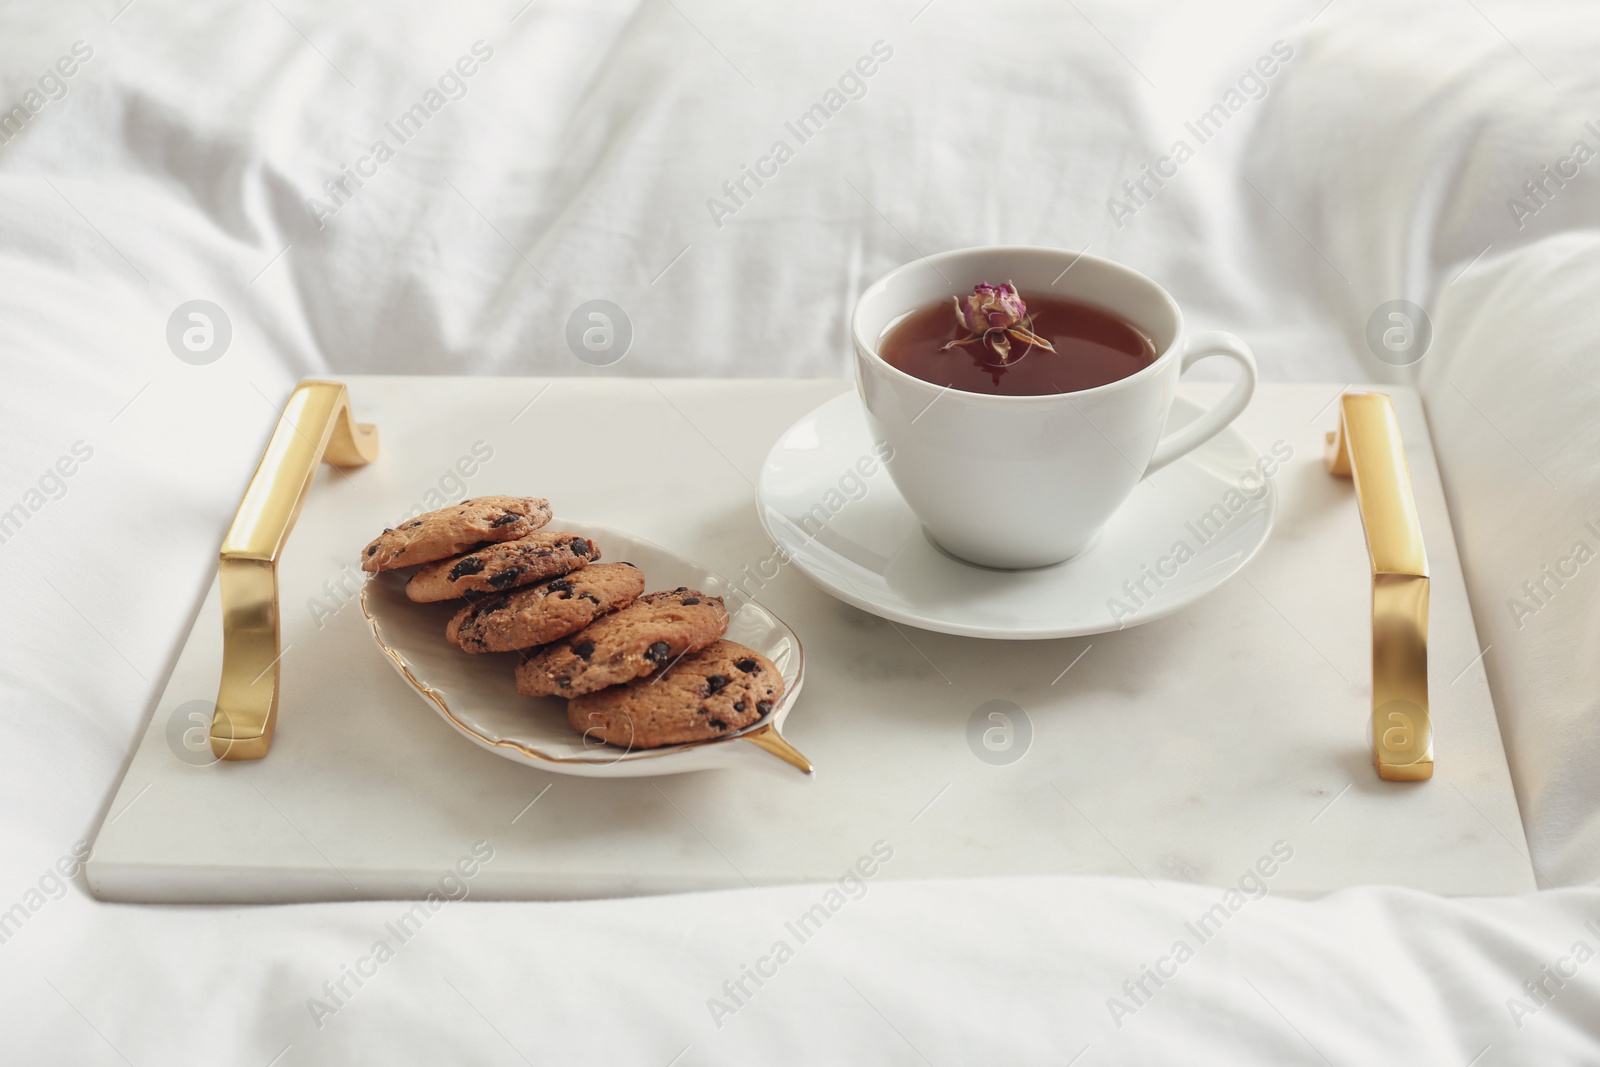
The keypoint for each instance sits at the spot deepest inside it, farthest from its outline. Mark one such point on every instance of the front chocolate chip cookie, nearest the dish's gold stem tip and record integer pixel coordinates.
(706, 695)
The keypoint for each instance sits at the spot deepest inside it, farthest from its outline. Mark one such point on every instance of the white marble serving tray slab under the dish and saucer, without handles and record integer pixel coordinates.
(1198, 748)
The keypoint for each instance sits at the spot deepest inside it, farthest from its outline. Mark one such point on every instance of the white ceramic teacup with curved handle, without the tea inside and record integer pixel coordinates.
(1017, 482)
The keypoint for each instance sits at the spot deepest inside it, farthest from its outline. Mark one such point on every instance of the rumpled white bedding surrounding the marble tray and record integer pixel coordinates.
(175, 162)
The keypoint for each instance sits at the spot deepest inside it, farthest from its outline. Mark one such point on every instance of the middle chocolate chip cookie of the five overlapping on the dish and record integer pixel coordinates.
(538, 615)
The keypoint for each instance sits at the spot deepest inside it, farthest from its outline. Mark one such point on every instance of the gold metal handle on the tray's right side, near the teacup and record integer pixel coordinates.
(1367, 447)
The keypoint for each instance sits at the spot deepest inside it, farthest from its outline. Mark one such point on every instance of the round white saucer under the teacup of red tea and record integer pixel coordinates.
(833, 508)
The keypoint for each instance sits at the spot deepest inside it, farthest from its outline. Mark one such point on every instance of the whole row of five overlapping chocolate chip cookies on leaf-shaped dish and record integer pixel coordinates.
(638, 669)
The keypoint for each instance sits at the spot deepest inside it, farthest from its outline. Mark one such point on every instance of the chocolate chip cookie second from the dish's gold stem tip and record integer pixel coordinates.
(631, 644)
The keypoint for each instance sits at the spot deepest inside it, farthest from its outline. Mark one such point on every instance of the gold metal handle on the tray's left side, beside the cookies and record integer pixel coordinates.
(316, 426)
